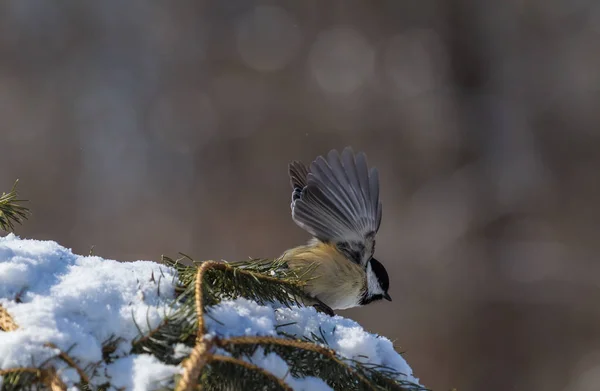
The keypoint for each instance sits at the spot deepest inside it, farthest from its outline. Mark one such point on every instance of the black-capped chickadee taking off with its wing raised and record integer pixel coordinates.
(336, 200)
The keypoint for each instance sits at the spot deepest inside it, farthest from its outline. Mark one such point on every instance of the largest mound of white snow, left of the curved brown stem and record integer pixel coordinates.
(77, 303)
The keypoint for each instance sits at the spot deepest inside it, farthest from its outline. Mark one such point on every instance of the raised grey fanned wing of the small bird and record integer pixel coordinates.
(337, 201)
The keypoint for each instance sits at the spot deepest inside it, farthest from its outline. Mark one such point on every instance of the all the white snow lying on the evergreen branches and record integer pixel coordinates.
(78, 302)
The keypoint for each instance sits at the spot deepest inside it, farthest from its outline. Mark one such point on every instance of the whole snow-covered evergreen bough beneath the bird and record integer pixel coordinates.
(83, 322)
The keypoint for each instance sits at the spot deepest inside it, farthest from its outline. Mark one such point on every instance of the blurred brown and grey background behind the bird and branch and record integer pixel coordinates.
(148, 128)
